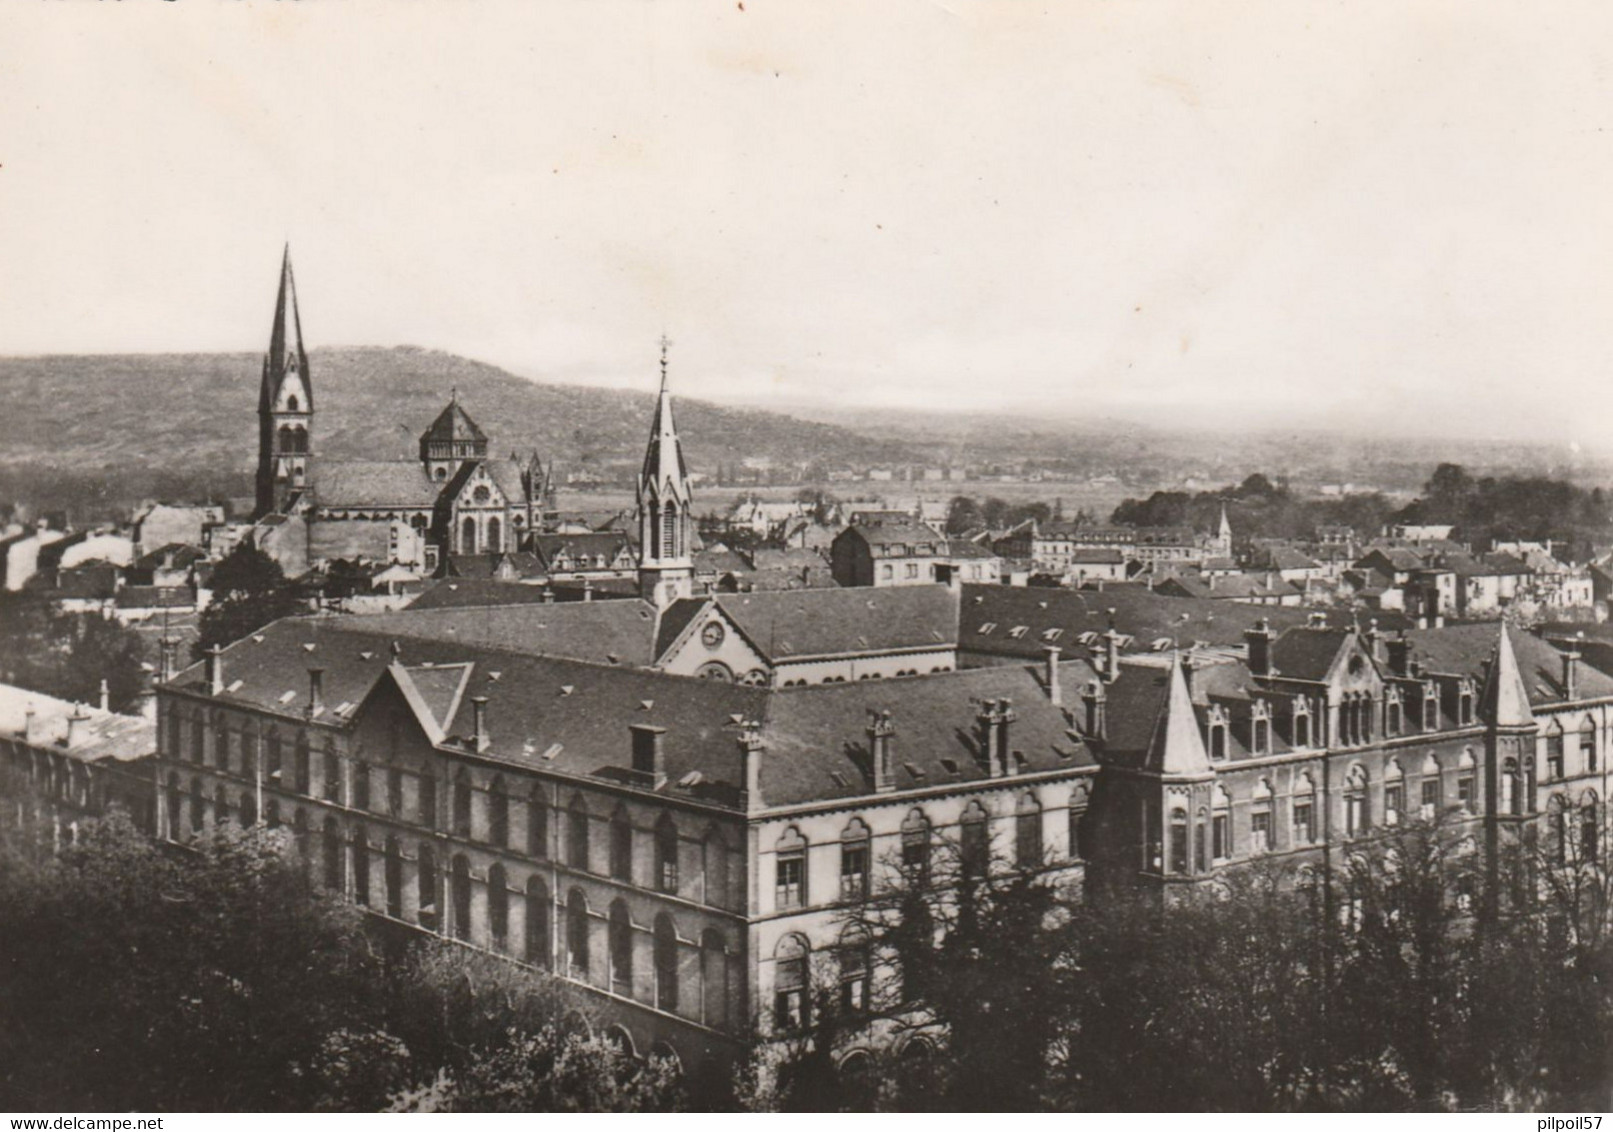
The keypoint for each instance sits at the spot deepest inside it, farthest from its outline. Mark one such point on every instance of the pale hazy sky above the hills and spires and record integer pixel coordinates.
(1294, 214)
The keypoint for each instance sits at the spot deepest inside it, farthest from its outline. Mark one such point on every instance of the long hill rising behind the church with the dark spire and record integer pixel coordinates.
(199, 412)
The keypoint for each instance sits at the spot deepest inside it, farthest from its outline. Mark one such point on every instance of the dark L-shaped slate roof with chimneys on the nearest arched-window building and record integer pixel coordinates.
(573, 718)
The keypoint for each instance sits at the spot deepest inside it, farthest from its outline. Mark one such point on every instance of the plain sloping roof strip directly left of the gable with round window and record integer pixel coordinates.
(607, 633)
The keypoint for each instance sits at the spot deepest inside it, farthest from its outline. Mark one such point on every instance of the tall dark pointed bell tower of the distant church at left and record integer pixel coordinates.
(285, 404)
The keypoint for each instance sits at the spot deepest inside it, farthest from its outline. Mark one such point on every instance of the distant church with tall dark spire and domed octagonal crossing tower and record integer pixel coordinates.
(454, 499)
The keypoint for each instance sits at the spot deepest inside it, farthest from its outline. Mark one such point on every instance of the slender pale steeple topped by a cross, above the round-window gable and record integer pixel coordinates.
(665, 546)
